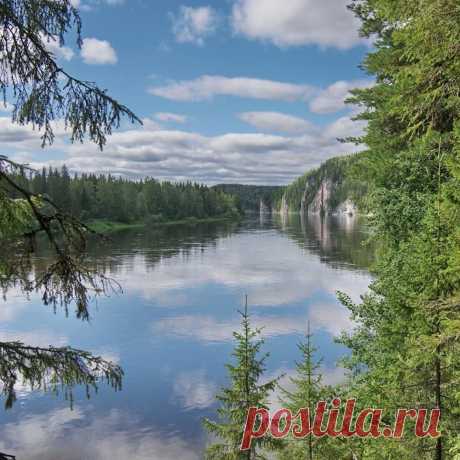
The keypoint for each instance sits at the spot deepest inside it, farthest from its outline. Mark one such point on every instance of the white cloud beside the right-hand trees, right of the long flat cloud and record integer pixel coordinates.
(332, 98)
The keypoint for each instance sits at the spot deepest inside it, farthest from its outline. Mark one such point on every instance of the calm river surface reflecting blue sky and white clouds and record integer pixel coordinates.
(171, 331)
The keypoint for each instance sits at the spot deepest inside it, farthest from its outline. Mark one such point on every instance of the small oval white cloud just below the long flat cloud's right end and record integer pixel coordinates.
(278, 122)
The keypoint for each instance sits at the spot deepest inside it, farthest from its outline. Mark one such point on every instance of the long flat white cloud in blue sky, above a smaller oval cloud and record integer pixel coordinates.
(208, 86)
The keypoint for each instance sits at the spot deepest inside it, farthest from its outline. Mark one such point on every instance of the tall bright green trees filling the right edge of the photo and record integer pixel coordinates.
(405, 352)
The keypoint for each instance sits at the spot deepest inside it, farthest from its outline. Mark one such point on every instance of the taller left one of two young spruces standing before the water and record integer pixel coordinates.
(244, 391)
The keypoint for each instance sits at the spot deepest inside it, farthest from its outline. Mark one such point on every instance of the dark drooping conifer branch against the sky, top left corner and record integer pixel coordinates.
(43, 91)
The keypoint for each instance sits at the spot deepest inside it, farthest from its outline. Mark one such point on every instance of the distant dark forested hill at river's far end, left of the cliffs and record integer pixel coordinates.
(250, 196)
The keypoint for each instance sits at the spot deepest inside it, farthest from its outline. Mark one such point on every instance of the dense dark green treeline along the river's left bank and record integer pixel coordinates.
(90, 197)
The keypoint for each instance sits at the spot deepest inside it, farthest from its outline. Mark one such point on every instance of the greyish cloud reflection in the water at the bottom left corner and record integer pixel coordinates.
(74, 435)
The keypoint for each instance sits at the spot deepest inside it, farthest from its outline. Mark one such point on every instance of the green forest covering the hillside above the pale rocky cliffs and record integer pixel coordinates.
(344, 184)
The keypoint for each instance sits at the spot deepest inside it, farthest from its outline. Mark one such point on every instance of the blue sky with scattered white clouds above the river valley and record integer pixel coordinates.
(230, 91)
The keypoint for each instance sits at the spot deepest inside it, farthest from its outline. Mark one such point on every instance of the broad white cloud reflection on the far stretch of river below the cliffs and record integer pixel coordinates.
(263, 264)
